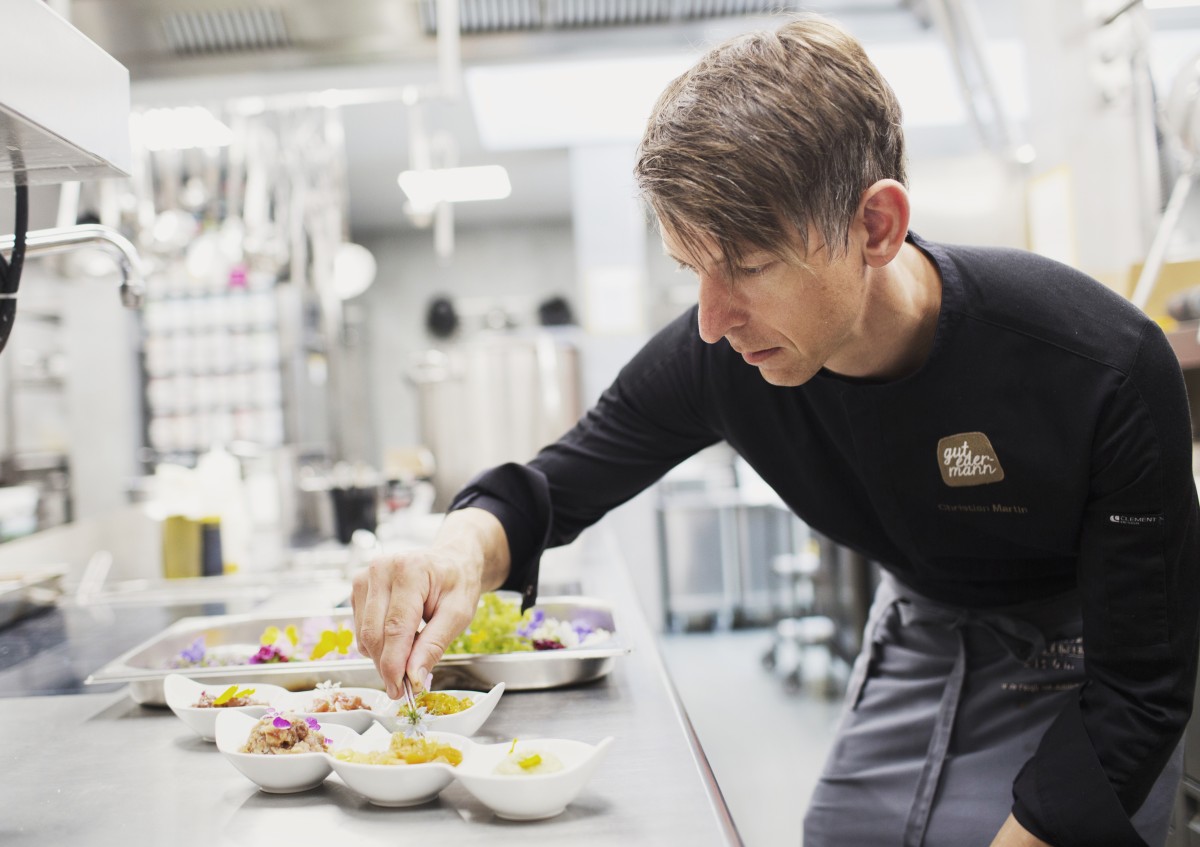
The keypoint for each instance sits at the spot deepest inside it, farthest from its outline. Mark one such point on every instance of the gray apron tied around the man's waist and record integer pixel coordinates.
(943, 710)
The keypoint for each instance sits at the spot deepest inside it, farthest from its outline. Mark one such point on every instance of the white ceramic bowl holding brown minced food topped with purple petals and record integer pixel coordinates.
(284, 773)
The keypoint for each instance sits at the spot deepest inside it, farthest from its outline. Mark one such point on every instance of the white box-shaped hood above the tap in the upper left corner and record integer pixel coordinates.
(64, 103)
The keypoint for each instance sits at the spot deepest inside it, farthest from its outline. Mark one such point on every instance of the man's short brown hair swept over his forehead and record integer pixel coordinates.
(770, 141)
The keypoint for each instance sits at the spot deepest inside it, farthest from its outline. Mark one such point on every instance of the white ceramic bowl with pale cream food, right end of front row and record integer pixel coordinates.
(530, 797)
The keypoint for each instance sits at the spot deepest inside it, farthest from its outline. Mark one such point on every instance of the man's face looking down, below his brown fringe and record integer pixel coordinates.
(787, 321)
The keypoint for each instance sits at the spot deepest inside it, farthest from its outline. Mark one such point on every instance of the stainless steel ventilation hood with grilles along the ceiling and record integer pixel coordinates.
(172, 39)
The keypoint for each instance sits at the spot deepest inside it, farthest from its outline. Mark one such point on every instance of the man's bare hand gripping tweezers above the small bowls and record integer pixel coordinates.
(440, 585)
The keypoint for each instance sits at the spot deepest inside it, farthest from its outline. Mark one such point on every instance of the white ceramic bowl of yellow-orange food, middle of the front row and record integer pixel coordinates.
(397, 785)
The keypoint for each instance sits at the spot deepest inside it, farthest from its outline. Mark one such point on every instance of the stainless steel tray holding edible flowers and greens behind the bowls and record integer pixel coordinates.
(146, 666)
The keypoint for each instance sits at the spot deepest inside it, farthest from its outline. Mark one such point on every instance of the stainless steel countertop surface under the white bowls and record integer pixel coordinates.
(99, 770)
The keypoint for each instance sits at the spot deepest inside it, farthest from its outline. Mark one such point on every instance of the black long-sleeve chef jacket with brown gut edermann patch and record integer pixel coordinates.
(1046, 444)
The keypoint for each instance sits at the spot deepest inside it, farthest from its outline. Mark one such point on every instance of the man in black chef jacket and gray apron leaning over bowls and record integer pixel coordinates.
(1007, 437)
